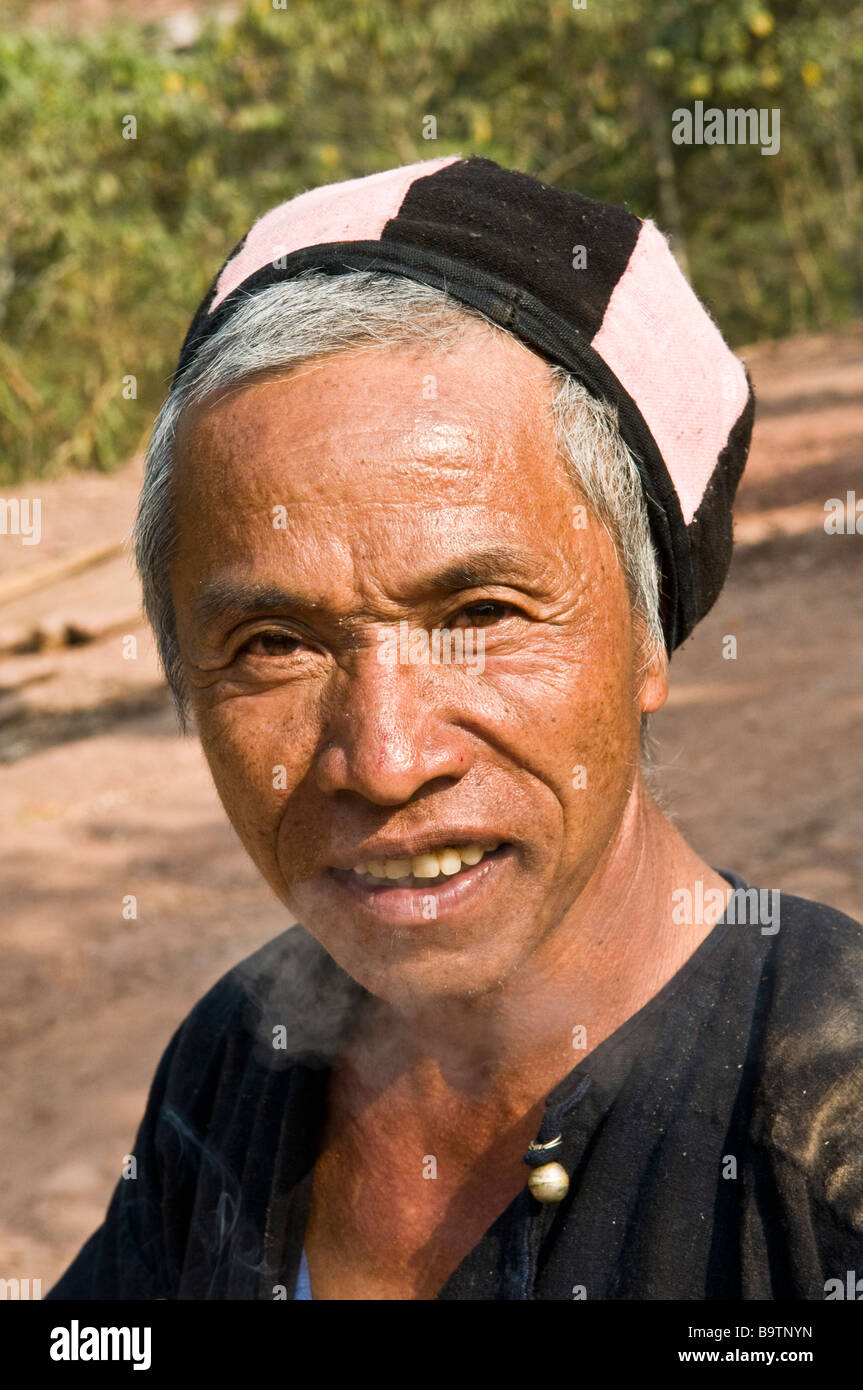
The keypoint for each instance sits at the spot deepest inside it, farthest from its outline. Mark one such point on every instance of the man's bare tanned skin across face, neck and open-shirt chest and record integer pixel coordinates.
(384, 489)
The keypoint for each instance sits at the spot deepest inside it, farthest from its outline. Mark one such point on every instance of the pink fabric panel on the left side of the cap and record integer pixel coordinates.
(356, 211)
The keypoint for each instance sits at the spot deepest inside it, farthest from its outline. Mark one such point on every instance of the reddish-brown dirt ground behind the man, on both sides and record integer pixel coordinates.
(761, 765)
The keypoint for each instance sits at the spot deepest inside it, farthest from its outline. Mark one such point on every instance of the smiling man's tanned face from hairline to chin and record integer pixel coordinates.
(319, 512)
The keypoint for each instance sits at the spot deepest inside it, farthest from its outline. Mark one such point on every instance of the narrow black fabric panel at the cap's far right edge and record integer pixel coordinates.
(712, 528)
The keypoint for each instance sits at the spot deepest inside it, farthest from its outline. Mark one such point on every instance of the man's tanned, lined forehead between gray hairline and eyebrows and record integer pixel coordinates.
(380, 461)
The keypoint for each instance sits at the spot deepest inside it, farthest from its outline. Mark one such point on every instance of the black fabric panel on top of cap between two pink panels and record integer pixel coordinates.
(523, 231)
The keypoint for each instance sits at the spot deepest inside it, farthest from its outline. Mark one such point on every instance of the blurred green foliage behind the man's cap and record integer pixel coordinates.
(108, 244)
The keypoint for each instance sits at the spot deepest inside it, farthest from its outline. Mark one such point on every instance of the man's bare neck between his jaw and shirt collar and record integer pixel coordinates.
(601, 961)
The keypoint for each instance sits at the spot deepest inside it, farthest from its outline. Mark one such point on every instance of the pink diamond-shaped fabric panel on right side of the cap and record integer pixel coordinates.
(671, 357)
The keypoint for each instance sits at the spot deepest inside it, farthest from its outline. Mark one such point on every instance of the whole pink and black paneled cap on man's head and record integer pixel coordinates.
(626, 323)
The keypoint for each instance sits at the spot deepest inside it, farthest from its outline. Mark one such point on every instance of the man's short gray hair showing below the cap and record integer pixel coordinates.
(315, 316)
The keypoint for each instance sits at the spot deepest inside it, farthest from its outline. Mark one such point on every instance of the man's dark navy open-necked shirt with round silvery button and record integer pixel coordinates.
(714, 1142)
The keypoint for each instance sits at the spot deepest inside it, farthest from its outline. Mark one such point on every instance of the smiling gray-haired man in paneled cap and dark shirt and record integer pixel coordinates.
(526, 1043)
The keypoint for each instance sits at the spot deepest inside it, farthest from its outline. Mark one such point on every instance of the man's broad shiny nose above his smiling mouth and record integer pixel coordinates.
(391, 730)
